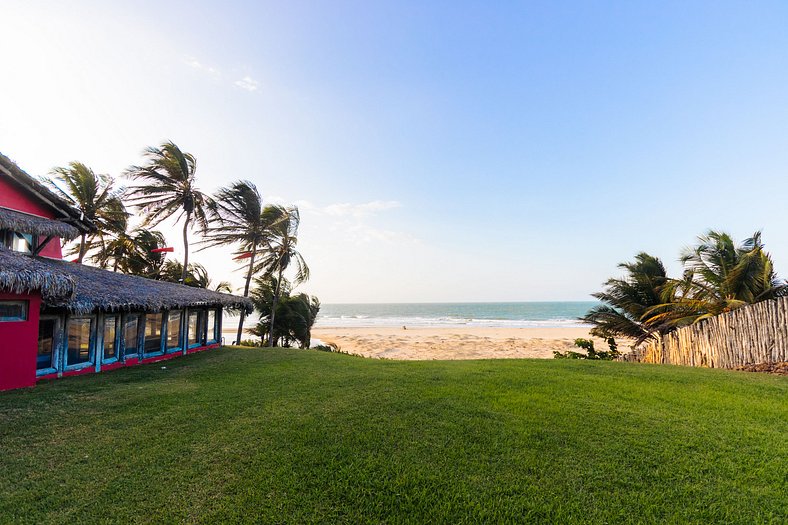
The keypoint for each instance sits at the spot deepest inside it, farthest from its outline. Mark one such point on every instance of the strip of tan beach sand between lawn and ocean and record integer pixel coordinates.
(463, 342)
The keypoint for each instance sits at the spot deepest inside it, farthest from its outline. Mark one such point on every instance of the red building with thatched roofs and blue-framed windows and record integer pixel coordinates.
(59, 318)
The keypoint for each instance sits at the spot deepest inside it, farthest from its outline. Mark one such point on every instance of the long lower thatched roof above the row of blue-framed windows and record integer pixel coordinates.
(96, 289)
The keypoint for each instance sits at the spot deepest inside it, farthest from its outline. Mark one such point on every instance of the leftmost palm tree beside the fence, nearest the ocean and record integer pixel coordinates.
(629, 301)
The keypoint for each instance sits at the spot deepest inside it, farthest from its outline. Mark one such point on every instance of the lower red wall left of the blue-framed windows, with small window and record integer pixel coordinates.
(19, 345)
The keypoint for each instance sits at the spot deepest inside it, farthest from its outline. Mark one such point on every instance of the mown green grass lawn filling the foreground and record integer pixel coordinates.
(295, 436)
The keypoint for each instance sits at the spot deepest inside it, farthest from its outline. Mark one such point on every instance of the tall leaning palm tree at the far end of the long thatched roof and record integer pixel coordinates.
(238, 218)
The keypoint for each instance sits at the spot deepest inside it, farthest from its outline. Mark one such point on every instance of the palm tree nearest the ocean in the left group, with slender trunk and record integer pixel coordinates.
(281, 253)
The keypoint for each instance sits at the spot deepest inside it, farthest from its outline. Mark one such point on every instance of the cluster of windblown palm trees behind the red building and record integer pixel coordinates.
(265, 237)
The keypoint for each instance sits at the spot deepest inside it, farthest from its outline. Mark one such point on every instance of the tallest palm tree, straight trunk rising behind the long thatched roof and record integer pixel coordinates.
(169, 189)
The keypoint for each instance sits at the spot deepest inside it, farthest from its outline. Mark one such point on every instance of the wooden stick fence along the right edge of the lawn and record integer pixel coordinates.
(753, 334)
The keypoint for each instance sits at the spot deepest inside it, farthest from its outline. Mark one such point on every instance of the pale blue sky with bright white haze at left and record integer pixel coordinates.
(438, 151)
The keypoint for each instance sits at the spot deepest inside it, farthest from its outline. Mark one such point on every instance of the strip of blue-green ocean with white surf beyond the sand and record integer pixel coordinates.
(521, 314)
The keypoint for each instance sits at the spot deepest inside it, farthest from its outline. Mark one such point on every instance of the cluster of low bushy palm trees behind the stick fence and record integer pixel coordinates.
(719, 276)
